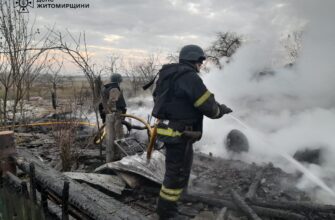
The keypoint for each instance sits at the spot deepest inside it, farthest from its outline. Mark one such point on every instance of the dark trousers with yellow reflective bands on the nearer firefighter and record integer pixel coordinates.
(178, 163)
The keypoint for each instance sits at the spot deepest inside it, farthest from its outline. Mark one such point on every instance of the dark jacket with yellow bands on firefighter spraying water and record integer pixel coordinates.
(181, 100)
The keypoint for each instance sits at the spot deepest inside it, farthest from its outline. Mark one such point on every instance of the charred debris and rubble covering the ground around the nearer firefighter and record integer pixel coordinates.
(218, 188)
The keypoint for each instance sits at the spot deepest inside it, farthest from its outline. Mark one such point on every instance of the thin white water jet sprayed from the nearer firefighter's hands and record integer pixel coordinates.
(289, 158)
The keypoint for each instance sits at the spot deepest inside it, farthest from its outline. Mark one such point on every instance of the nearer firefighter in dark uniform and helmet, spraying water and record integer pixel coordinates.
(181, 100)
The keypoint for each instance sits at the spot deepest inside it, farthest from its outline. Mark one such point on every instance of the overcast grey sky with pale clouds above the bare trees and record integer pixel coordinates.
(134, 28)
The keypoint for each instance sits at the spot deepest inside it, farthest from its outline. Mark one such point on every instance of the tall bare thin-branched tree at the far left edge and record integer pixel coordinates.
(22, 48)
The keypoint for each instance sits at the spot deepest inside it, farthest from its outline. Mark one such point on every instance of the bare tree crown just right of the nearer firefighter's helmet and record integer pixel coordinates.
(225, 45)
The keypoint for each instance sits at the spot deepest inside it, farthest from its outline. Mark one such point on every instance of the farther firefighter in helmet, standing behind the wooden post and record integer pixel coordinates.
(121, 106)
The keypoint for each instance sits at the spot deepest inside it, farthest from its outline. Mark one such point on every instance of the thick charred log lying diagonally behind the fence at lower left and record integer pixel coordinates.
(80, 197)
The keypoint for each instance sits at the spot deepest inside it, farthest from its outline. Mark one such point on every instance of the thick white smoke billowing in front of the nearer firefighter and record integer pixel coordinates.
(291, 109)
